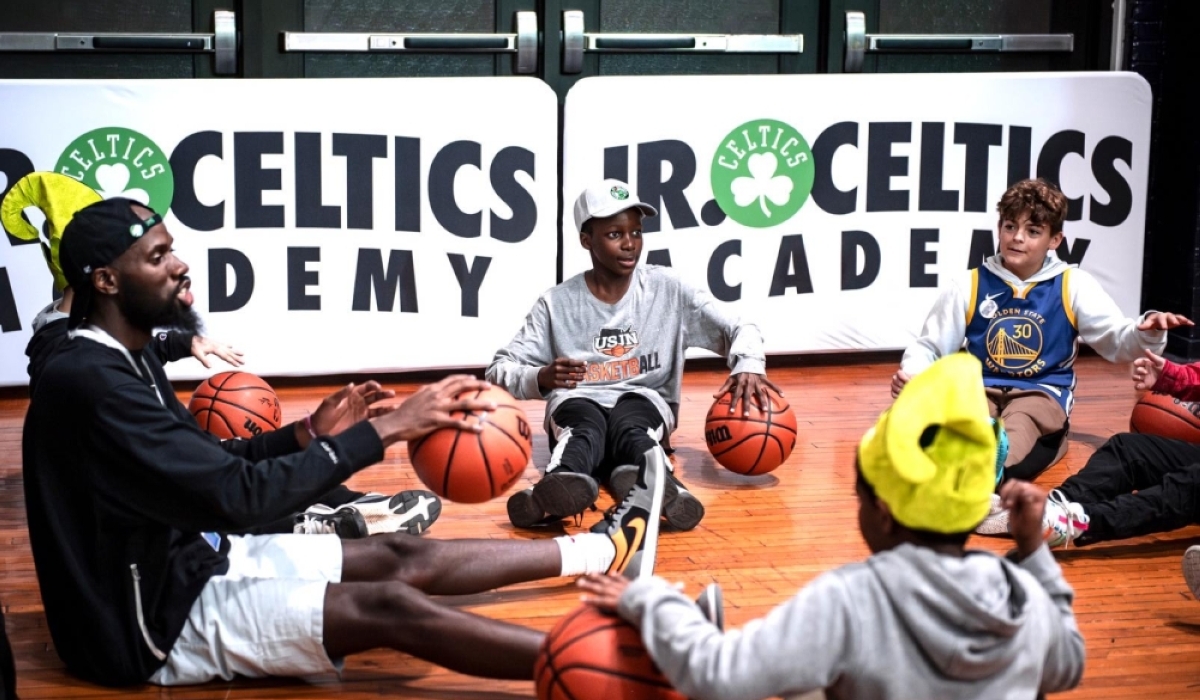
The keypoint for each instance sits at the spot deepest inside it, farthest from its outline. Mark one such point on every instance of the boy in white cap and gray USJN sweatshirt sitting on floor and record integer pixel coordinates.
(607, 351)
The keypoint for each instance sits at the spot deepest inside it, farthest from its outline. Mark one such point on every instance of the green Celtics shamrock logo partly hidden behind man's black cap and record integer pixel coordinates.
(121, 163)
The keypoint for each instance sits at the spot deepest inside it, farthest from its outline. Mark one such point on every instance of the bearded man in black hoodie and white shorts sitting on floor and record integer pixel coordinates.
(125, 496)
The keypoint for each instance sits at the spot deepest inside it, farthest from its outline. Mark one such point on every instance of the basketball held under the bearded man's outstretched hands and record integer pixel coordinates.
(473, 468)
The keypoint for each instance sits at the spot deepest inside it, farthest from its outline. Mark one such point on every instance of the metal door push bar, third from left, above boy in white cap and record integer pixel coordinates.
(577, 43)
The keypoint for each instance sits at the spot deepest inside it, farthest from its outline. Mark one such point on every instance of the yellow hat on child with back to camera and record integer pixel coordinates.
(946, 484)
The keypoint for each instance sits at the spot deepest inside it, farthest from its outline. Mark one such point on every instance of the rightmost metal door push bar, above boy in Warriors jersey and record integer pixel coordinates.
(859, 43)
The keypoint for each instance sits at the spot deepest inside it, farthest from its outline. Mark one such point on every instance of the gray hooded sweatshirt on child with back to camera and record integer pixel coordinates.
(905, 624)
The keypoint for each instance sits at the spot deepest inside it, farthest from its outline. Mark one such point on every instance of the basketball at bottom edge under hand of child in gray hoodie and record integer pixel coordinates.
(595, 656)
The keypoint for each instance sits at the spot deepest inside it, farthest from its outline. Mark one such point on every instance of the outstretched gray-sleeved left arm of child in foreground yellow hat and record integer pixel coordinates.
(800, 647)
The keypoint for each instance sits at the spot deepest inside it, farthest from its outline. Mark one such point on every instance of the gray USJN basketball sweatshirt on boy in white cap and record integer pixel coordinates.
(635, 345)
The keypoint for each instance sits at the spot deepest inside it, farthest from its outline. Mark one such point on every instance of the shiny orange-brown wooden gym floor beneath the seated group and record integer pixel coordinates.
(763, 540)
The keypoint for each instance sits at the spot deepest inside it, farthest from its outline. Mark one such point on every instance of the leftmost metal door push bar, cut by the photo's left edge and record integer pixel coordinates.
(223, 44)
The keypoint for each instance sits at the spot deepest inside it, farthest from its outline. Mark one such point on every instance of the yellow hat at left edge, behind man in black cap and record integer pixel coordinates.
(59, 198)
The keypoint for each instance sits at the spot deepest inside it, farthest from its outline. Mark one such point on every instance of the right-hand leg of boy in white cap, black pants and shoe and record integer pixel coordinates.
(635, 427)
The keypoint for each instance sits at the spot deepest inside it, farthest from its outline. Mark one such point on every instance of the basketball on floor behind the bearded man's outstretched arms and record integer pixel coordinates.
(236, 405)
